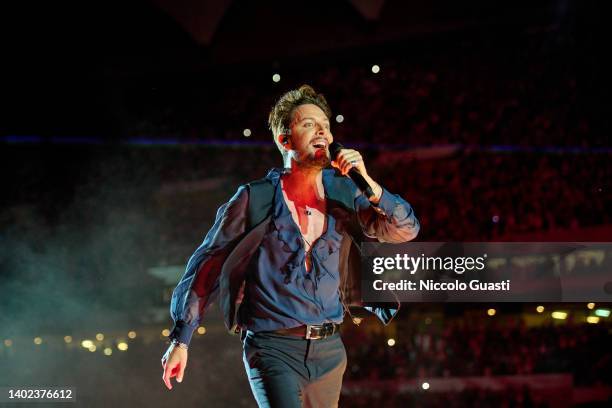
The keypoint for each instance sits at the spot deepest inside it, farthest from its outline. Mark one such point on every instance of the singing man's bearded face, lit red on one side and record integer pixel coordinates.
(310, 136)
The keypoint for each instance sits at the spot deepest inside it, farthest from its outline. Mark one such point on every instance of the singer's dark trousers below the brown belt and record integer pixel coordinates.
(289, 372)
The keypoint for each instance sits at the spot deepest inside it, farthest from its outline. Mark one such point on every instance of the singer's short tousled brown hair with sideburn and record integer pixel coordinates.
(282, 112)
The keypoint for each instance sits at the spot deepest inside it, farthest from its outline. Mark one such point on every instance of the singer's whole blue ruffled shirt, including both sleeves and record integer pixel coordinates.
(279, 291)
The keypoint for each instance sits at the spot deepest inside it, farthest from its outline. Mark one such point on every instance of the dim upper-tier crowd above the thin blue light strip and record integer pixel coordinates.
(529, 91)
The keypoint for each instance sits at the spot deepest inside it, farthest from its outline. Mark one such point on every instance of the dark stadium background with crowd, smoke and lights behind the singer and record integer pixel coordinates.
(122, 132)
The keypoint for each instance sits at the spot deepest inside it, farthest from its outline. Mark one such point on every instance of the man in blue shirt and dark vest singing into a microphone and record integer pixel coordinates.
(276, 257)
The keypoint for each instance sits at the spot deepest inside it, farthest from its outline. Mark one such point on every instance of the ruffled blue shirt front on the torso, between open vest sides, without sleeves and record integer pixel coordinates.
(280, 292)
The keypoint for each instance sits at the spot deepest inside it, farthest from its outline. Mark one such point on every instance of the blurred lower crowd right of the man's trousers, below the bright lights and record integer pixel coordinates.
(476, 347)
